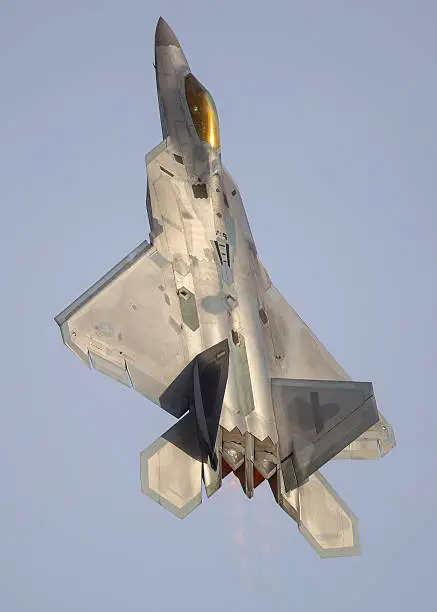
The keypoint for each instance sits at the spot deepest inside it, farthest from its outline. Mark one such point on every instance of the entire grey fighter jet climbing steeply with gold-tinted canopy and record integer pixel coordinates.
(192, 321)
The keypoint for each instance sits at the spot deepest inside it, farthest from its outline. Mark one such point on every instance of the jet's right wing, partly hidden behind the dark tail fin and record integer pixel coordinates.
(300, 355)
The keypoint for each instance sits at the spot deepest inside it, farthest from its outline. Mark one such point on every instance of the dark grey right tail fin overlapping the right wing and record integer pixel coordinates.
(316, 420)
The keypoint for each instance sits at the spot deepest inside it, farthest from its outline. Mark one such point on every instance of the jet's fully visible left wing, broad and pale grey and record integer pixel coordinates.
(128, 324)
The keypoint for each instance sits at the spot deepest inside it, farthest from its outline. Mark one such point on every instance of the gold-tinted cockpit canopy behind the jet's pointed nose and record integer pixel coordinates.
(203, 111)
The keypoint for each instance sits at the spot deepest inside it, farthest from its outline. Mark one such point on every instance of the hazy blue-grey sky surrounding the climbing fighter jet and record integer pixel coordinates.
(328, 125)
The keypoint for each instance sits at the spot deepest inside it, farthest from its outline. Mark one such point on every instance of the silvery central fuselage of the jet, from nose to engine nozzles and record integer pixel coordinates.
(214, 256)
